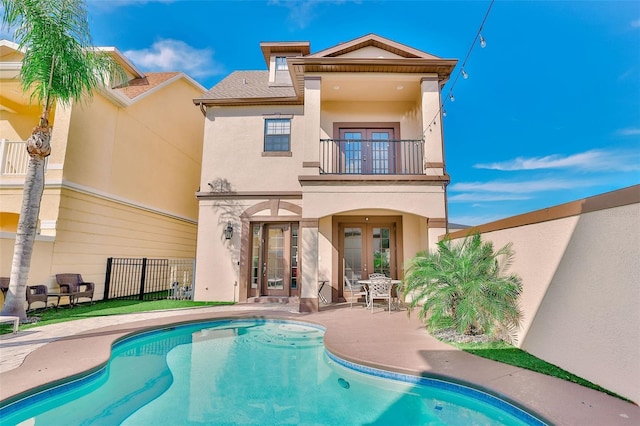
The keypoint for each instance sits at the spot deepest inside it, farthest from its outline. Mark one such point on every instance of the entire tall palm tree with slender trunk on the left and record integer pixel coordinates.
(59, 66)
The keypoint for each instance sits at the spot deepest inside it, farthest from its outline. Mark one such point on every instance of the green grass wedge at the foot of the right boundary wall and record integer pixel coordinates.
(503, 352)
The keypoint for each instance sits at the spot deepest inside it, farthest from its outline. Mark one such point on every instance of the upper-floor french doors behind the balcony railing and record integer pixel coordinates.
(367, 151)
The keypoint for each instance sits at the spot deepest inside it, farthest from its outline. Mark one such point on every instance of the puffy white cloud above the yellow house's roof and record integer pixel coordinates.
(175, 55)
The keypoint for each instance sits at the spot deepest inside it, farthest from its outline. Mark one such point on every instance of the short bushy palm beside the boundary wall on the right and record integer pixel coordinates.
(465, 285)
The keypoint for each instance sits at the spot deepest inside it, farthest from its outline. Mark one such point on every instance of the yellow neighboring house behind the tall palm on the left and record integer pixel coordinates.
(121, 177)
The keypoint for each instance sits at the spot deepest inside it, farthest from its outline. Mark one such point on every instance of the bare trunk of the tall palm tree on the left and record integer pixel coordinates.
(38, 146)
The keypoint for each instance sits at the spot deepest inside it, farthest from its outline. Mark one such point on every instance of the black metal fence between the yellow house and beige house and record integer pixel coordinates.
(149, 279)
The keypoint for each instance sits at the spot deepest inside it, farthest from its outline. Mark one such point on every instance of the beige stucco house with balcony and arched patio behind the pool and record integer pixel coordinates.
(325, 165)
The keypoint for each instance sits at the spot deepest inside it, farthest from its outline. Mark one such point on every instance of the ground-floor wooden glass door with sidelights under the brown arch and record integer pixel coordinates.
(274, 259)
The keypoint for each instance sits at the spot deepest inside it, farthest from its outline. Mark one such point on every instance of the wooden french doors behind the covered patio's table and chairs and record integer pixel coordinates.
(367, 249)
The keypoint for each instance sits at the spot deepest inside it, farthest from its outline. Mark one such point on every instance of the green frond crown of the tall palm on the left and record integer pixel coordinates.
(59, 63)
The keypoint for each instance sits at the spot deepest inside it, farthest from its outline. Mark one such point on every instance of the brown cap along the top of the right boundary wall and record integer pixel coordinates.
(621, 197)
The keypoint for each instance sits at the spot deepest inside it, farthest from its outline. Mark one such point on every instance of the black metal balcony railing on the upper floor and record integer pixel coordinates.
(371, 157)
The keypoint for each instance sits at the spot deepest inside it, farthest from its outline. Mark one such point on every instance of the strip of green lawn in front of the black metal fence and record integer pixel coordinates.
(102, 308)
